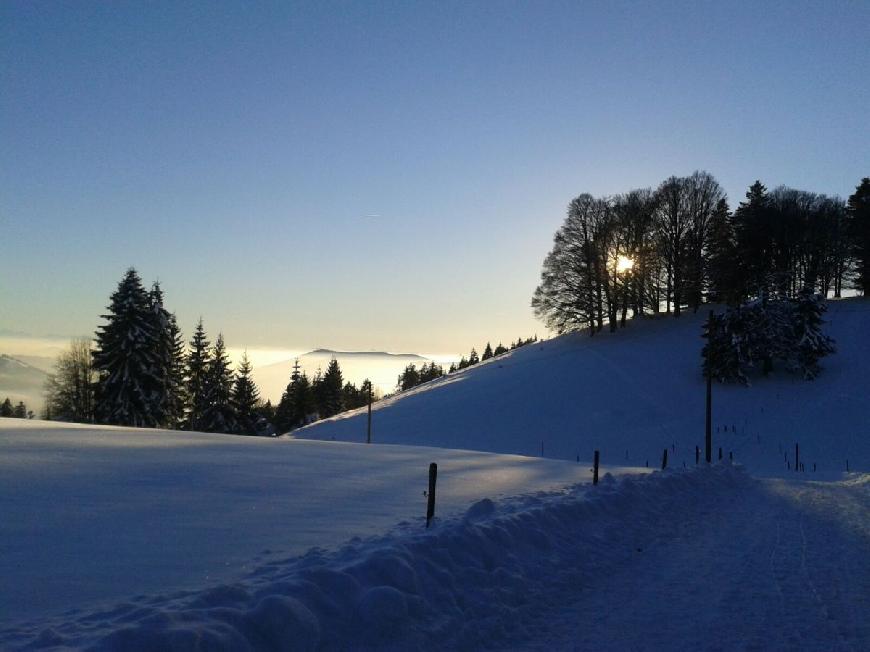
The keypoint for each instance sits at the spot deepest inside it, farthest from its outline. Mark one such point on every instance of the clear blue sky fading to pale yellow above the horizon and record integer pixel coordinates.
(384, 175)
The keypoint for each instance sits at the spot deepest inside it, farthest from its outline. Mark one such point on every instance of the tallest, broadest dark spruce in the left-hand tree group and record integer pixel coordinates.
(125, 359)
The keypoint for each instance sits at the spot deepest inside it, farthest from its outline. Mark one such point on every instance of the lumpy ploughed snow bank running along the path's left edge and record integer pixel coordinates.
(478, 580)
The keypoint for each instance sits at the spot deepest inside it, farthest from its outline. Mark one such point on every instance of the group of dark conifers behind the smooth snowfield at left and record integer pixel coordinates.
(139, 372)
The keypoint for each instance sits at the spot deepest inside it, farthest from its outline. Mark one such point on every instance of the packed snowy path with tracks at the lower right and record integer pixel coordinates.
(783, 566)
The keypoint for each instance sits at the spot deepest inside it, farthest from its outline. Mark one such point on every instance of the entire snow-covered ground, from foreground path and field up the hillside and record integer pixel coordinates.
(124, 539)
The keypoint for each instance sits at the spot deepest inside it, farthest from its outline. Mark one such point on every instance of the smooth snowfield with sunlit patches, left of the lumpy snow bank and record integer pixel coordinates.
(97, 514)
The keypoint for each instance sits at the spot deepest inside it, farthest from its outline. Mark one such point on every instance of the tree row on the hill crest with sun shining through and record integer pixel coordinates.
(673, 248)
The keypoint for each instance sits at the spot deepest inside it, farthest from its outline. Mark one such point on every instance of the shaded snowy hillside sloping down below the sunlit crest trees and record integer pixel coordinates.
(631, 394)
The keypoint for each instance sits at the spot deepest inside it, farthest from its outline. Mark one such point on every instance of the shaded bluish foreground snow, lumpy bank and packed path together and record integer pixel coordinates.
(680, 560)
